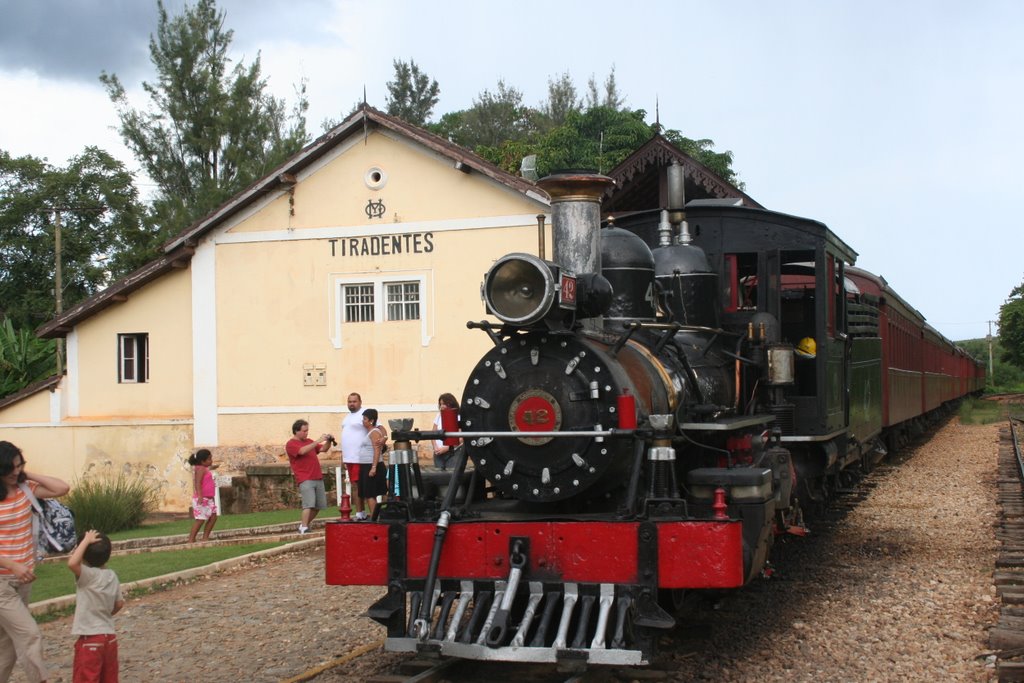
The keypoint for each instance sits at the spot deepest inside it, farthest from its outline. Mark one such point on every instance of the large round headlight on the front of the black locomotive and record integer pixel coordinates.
(522, 289)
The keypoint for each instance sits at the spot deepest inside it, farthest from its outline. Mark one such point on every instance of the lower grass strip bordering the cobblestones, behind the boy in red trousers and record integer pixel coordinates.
(55, 580)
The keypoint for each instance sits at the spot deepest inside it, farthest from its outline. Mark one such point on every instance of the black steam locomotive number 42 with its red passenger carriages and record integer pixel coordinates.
(663, 399)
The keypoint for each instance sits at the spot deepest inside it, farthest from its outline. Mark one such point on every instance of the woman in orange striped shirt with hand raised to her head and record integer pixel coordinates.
(20, 636)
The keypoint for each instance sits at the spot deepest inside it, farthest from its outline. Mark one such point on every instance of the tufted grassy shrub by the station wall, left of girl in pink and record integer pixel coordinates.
(112, 504)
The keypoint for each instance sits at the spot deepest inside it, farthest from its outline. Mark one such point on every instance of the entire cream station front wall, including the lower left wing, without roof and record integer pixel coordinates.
(276, 279)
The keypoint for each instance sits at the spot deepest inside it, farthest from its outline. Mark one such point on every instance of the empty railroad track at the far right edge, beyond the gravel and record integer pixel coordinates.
(1008, 636)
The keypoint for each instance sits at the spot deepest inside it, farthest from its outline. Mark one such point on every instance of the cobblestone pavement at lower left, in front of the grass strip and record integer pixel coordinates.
(269, 622)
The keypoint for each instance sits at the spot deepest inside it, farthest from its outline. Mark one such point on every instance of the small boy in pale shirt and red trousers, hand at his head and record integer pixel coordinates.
(98, 600)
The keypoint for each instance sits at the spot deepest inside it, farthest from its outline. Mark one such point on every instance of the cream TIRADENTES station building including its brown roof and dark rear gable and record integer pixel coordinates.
(355, 267)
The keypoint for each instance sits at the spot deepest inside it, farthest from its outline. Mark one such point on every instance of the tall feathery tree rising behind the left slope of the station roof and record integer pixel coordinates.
(211, 131)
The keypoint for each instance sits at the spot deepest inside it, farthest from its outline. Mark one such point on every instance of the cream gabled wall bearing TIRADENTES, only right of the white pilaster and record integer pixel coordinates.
(278, 297)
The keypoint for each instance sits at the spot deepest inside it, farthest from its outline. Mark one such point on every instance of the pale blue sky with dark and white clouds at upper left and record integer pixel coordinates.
(898, 123)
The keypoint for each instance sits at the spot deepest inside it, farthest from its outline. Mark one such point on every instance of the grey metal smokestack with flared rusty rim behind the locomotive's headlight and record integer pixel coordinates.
(576, 220)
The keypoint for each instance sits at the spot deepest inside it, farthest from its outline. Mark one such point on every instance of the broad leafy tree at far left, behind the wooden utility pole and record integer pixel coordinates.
(103, 234)
